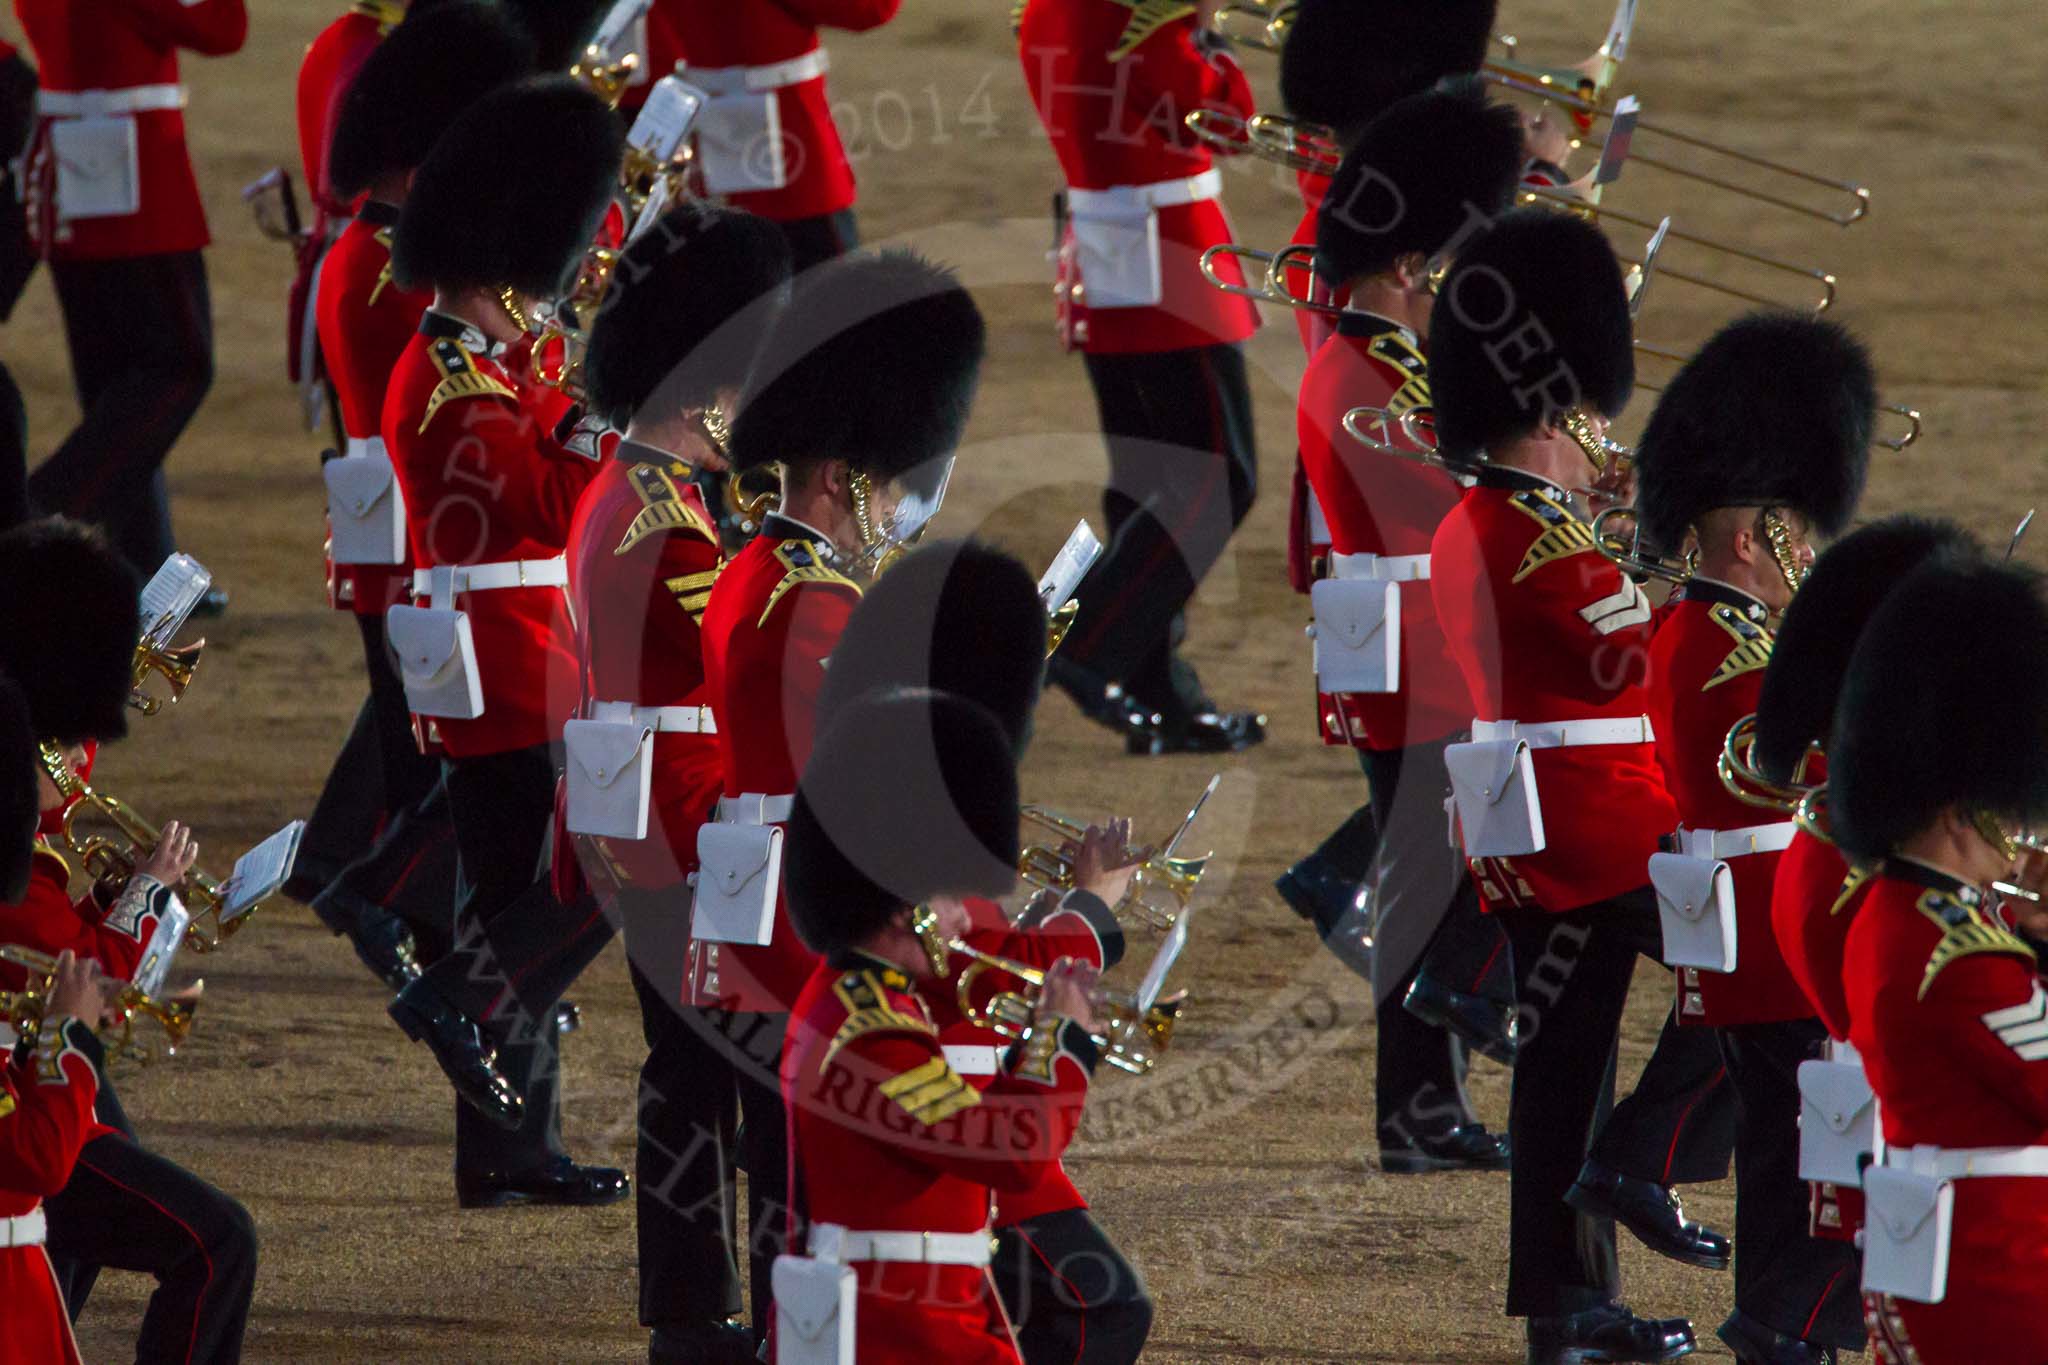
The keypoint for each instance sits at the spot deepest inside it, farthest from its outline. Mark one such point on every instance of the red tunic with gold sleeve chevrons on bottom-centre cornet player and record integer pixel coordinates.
(886, 1137)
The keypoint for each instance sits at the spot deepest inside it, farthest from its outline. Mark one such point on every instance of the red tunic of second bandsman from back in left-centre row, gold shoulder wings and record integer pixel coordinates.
(486, 484)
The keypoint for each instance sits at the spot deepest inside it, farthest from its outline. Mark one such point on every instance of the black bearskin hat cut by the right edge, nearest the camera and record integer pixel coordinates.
(1947, 705)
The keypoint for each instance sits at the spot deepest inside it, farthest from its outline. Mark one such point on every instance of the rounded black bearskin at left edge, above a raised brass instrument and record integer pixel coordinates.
(69, 629)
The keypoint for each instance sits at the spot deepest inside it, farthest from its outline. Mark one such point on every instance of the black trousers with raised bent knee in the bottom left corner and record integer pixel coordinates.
(132, 1210)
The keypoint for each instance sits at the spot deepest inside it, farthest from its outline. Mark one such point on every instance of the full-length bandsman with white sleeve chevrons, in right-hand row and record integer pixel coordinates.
(1560, 797)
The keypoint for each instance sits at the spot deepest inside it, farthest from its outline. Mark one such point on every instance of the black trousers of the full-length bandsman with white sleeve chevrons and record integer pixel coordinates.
(1574, 973)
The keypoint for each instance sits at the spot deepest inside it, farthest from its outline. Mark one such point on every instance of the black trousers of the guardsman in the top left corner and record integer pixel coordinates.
(142, 361)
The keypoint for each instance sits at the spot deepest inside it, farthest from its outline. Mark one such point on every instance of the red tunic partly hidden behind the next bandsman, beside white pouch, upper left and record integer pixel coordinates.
(366, 324)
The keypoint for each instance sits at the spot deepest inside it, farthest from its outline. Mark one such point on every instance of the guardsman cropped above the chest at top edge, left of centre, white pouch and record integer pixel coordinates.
(767, 140)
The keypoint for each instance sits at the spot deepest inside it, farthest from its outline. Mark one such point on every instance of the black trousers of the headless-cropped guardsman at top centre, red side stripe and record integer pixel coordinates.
(1183, 478)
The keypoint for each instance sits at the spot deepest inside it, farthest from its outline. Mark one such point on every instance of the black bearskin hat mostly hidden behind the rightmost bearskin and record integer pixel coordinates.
(1828, 615)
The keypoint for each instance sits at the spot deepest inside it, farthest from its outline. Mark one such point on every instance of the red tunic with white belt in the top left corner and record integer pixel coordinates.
(122, 46)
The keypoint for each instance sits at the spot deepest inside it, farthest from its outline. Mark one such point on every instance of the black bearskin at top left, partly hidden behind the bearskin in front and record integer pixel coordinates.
(417, 83)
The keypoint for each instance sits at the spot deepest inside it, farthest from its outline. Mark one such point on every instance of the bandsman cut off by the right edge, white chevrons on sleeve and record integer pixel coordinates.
(1938, 762)
